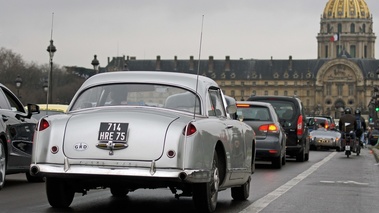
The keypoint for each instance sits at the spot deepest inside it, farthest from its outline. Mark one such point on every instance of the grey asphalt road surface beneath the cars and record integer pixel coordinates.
(328, 182)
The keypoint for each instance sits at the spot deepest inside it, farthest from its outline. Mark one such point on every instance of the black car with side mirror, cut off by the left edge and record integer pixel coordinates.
(16, 135)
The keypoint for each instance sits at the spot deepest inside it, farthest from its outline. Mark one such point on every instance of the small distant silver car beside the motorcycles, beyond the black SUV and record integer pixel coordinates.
(326, 139)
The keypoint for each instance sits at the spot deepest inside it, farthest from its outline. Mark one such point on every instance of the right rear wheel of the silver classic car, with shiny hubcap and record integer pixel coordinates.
(205, 194)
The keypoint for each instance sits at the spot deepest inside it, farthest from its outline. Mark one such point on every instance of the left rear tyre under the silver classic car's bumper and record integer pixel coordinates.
(59, 193)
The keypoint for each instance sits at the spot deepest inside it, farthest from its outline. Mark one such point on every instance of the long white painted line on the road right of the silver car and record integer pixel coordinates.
(262, 203)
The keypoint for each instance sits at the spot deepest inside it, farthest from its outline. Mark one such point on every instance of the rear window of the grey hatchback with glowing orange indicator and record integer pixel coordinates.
(256, 113)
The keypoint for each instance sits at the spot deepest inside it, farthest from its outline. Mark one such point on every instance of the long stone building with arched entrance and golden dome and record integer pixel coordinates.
(342, 75)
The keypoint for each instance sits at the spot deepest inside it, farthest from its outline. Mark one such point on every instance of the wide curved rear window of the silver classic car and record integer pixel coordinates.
(138, 95)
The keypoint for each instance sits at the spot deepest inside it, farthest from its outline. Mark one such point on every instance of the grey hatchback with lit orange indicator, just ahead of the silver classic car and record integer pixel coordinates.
(269, 134)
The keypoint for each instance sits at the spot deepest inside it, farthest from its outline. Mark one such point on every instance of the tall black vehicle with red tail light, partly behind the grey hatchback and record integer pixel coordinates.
(292, 117)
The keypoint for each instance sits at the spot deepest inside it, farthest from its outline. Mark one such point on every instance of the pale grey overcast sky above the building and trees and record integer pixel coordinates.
(244, 29)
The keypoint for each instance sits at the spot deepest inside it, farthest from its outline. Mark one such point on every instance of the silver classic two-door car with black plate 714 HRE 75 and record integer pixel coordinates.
(138, 129)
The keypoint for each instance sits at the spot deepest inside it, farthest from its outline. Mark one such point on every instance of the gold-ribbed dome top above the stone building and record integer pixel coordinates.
(346, 9)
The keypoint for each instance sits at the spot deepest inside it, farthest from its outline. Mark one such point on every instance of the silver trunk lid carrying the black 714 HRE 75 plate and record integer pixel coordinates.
(133, 134)
